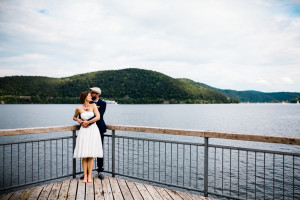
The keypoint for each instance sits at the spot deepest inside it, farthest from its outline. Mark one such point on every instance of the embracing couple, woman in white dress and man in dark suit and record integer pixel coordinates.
(89, 142)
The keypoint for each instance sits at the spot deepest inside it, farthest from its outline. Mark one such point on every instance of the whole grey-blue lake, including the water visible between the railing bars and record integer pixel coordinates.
(268, 119)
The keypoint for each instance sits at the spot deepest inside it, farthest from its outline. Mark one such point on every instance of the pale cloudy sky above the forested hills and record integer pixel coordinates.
(228, 44)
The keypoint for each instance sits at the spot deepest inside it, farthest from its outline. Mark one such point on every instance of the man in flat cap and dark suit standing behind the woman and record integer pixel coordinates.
(101, 105)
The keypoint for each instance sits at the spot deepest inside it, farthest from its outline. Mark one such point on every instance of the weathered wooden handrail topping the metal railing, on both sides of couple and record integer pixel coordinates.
(184, 132)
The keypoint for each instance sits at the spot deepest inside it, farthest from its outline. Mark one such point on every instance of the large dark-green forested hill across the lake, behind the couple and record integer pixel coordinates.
(124, 86)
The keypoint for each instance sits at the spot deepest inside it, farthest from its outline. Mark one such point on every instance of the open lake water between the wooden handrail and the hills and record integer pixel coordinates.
(274, 119)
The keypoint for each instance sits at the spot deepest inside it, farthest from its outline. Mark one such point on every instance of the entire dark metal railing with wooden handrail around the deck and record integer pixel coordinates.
(211, 169)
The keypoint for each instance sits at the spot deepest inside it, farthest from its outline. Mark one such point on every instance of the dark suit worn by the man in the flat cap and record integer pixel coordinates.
(102, 128)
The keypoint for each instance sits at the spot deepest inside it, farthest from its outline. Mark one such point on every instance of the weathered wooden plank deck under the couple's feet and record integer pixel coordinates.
(108, 189)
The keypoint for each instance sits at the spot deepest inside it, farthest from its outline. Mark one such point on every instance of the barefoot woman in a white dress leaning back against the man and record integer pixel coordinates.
(88, 142)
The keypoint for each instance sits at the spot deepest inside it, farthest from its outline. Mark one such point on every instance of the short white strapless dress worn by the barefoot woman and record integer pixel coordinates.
(88, 142)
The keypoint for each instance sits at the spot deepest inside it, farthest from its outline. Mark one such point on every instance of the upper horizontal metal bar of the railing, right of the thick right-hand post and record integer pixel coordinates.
(254, 150)
